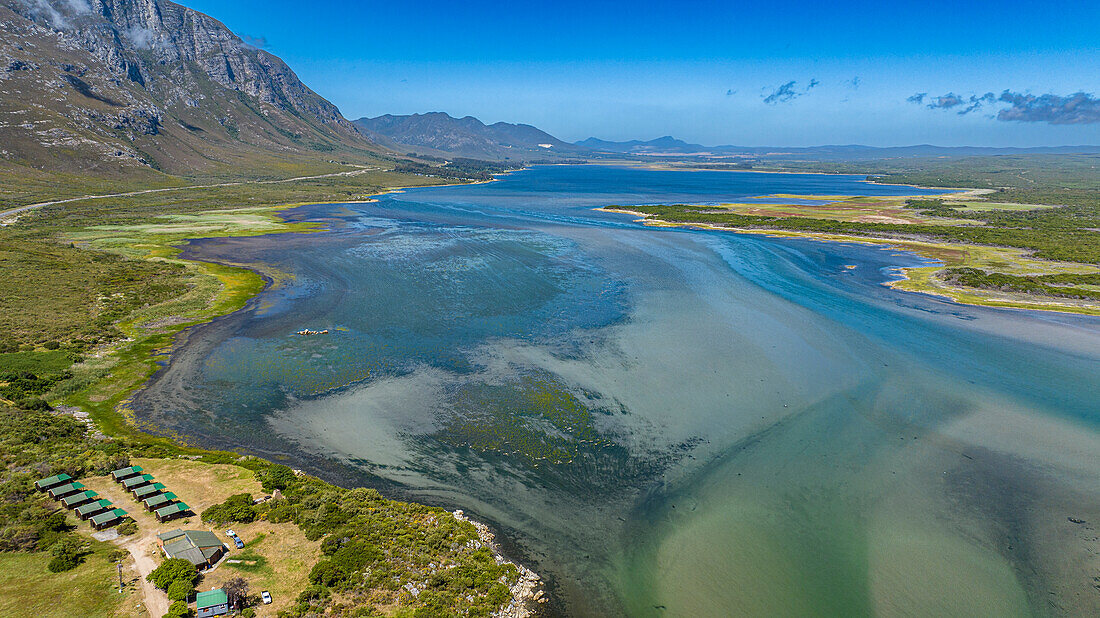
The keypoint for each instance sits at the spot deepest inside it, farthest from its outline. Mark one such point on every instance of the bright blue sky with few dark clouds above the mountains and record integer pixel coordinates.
(705, 72)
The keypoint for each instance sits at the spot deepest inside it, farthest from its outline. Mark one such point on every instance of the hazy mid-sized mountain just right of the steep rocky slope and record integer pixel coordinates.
(438, 134)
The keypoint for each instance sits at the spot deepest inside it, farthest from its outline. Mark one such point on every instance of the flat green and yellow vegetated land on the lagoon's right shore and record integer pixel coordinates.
(1025, 237)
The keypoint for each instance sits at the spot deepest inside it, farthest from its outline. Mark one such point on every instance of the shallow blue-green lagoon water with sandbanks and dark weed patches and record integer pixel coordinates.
(667, 422)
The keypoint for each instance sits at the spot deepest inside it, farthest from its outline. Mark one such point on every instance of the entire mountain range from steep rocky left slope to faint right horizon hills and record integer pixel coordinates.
(125, 86)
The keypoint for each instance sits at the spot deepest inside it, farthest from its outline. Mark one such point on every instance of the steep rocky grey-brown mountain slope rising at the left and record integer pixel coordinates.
(151, 84)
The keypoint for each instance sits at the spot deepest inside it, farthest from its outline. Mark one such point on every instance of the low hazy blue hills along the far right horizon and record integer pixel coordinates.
(673, 147)
